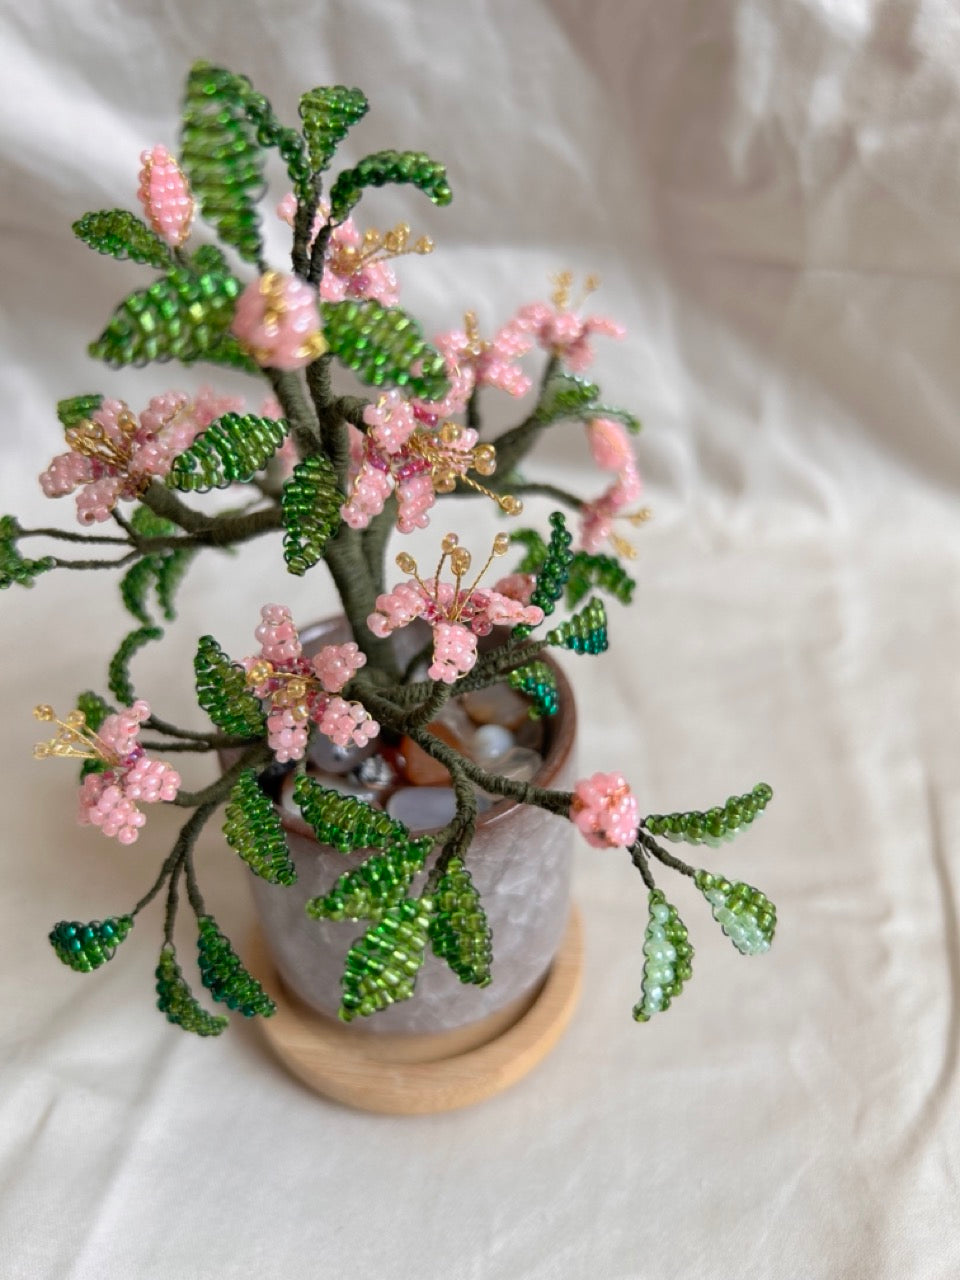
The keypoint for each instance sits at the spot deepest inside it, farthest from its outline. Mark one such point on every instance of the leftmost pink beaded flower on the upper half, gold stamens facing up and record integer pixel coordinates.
(115, 456)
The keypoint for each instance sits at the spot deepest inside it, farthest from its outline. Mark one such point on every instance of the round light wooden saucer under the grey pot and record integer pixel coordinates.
(420, 1075)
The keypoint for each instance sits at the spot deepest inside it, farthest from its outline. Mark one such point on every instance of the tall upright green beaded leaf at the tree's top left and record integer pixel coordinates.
(222, 158)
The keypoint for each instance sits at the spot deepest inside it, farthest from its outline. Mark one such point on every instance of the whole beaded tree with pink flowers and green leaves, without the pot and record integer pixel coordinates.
(336, 474)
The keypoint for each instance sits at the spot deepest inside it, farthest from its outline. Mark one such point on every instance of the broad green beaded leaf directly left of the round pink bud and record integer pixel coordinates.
(182, 316)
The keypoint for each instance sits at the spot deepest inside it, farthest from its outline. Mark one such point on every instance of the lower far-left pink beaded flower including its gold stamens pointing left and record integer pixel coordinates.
(111, 799)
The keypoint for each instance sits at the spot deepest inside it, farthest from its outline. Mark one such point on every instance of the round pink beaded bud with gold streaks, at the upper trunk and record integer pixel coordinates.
(278, 322)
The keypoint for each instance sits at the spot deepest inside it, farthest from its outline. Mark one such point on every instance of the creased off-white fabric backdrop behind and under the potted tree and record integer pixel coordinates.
(771, 193)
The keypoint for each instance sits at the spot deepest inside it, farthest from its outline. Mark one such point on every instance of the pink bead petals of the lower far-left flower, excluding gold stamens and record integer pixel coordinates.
(109, 801)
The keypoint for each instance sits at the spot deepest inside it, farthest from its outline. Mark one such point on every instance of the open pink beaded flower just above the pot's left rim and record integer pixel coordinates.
(304, 691)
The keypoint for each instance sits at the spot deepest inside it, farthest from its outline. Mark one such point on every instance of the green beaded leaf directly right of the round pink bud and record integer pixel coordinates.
(383, 346)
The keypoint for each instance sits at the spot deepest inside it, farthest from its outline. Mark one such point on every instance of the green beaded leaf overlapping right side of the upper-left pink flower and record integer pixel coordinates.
(231, 451)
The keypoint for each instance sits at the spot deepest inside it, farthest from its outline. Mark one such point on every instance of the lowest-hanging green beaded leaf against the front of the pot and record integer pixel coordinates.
(382, 967)
